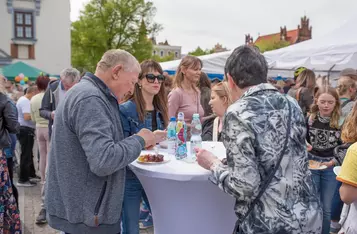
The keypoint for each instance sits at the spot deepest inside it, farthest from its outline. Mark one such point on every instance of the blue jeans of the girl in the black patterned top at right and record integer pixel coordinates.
(325, 181)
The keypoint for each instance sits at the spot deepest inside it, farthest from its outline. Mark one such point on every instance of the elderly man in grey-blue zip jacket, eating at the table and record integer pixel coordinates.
(88, 156)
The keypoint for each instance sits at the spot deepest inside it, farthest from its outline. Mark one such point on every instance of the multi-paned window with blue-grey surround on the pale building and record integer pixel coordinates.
(23, 25)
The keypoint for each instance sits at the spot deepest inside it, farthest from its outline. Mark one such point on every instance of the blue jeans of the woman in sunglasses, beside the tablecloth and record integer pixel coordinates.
(133, 194)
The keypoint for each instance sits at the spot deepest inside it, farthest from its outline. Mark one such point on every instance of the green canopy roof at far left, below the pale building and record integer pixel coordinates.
(13, 70)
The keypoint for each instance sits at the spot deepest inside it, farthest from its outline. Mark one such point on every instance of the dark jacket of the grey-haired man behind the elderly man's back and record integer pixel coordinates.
(49, 103)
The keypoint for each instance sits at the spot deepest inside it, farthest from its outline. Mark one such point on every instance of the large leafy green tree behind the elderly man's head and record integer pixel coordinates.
(112, 24)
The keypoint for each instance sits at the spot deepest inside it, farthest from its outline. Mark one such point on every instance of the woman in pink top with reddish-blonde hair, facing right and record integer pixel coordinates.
(185, 97)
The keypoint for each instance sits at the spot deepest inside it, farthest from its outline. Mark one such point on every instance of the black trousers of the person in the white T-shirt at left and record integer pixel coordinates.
(26, 139)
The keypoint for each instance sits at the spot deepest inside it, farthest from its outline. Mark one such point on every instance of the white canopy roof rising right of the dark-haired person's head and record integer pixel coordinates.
(328, 54)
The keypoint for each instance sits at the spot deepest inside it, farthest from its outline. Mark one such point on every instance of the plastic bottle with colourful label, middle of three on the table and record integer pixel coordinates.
(181, 137)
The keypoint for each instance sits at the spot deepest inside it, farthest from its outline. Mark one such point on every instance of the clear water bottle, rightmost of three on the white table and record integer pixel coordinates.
(196, 139)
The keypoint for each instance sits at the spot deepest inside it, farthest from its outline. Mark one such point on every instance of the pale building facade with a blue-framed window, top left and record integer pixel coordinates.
(37, 32)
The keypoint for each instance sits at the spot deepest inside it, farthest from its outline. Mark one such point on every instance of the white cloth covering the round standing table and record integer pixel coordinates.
(182, 199)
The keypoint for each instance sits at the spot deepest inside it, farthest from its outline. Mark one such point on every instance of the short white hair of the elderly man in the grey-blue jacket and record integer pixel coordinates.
(115, 57)
